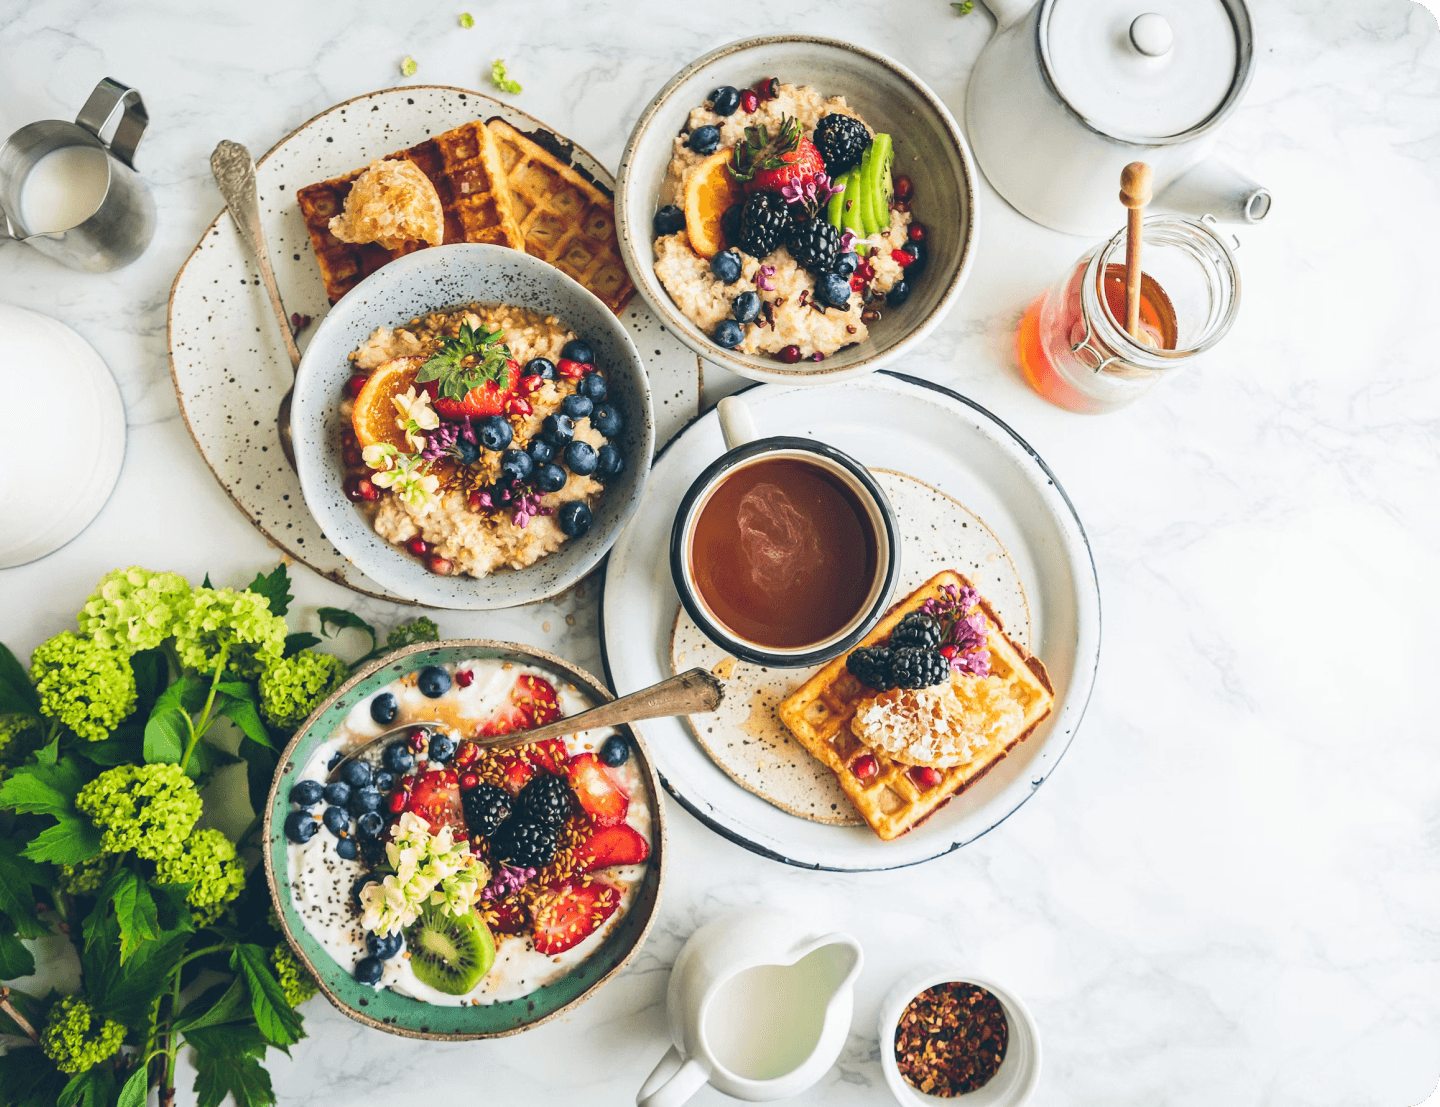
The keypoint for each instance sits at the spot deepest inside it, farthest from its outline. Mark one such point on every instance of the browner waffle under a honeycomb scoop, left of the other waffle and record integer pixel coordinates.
(464, 168)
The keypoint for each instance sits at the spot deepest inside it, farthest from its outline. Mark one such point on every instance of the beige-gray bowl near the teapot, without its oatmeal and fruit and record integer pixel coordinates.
(930, 149)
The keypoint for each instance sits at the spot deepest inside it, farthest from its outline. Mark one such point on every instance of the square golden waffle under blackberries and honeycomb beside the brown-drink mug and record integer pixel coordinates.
(819, 715)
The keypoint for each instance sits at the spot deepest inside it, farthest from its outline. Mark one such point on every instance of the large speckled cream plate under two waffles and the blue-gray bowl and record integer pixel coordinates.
(227, 358)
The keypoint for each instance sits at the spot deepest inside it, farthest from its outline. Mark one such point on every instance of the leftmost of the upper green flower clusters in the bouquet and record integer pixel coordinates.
(87, 687)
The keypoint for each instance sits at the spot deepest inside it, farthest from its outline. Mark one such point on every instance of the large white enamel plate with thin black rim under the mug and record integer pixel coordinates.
(886, 423)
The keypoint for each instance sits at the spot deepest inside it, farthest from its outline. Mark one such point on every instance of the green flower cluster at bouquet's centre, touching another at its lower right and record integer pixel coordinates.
(148, 808)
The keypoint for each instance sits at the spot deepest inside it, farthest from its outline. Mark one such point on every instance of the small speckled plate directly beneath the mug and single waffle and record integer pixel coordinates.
(747, 738)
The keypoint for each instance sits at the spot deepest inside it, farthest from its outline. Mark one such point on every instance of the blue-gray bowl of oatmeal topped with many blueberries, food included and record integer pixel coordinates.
(473, 428)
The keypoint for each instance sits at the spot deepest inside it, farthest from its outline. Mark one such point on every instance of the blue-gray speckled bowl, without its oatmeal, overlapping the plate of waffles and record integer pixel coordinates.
(449, 277)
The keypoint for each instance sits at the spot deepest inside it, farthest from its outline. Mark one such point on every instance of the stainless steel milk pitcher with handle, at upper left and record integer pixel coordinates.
(109, 217)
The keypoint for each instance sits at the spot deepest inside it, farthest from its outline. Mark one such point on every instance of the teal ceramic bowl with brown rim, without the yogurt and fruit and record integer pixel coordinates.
(390, 1011)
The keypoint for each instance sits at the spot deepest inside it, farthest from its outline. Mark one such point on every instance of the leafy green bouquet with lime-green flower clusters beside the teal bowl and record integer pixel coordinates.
(106, 746)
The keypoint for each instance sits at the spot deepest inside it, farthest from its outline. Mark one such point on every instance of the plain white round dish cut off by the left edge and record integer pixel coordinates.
(48, 496)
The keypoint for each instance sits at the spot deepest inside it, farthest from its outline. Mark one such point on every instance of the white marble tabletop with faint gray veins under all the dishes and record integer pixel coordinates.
(1230, 890)
